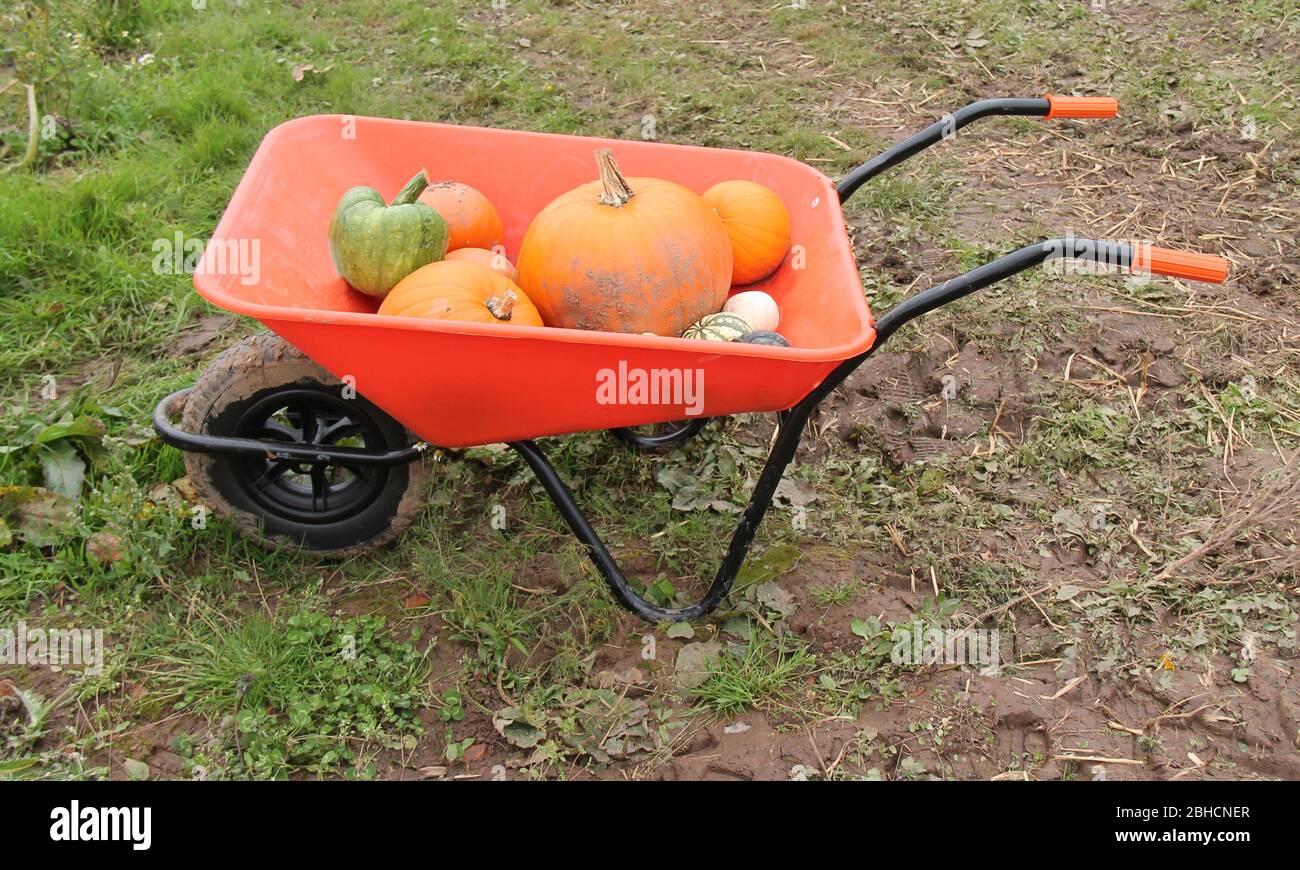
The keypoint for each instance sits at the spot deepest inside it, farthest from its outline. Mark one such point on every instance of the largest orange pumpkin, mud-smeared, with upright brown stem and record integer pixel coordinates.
(629, 256)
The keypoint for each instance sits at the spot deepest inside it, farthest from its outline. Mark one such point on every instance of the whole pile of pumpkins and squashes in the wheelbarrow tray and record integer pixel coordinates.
(632, 256)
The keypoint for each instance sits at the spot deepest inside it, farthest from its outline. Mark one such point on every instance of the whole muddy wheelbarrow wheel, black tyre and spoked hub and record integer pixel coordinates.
(265, 388)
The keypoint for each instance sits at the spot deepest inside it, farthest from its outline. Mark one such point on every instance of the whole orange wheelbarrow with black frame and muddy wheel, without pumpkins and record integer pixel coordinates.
(314, 435)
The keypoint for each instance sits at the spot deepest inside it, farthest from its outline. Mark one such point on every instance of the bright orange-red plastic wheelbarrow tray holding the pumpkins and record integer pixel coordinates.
(458, 384)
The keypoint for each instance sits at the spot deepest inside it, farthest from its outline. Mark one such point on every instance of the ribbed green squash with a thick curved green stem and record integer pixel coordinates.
(375, 245)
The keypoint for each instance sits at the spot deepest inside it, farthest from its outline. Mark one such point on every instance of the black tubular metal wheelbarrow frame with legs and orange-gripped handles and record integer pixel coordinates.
(792, 422)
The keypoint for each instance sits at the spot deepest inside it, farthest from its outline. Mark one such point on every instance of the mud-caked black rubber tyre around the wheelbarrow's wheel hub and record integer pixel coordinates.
(249, 374)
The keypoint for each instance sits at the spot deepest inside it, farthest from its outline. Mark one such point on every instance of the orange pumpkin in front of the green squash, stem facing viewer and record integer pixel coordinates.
(460, 291)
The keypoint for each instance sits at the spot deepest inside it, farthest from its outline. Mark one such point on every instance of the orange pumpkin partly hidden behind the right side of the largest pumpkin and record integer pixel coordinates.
(759, 226)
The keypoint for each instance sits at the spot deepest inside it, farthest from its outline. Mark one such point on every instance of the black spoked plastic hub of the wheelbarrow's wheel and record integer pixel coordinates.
(317, 494)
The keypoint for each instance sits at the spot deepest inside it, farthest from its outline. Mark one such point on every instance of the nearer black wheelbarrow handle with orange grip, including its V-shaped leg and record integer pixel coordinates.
(794, 421)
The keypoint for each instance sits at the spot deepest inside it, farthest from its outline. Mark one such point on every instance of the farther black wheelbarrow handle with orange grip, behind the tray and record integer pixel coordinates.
(1045, 107)
